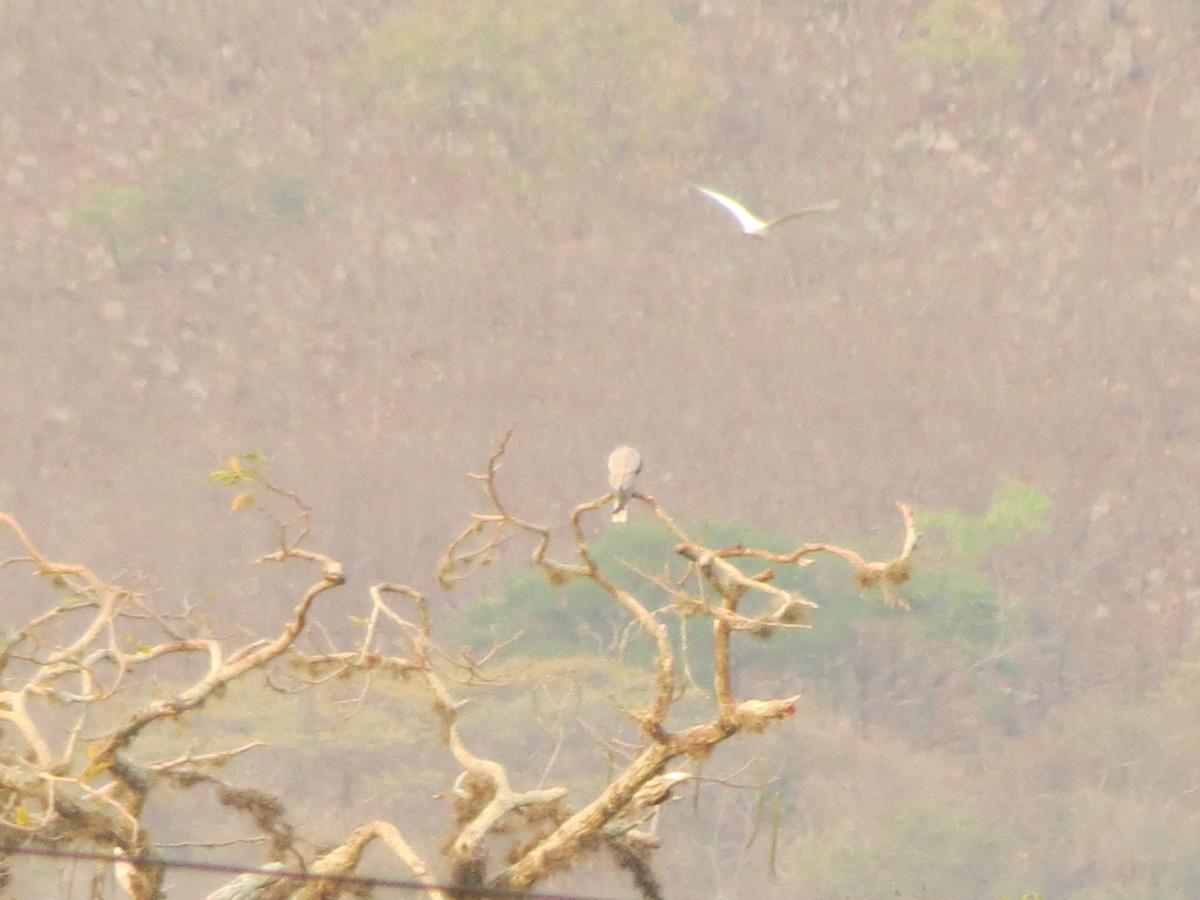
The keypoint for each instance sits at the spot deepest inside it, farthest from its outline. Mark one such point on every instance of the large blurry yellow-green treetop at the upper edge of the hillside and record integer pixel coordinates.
(550, 91)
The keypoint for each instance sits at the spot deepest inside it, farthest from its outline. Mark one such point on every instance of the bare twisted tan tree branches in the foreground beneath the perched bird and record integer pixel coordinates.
(76, 704)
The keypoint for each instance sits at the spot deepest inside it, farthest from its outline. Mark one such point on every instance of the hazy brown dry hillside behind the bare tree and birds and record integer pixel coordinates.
(365, 238)
